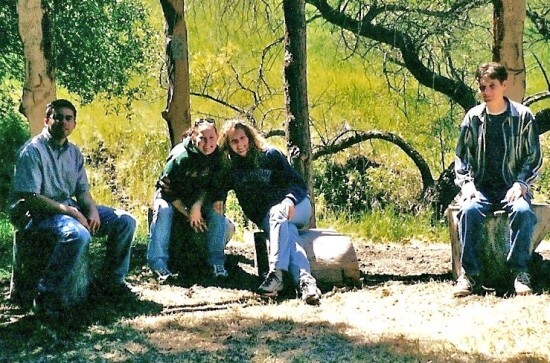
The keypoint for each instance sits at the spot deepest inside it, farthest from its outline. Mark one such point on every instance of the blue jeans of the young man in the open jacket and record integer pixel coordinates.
(522, 221)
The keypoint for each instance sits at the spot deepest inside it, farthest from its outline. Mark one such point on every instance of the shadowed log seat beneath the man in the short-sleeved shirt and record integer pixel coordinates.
(31, 252)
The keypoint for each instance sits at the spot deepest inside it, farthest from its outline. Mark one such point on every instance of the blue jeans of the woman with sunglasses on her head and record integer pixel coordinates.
(161, 232)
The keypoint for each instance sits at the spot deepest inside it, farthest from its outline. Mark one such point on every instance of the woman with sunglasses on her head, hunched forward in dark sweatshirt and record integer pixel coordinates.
(185, 186)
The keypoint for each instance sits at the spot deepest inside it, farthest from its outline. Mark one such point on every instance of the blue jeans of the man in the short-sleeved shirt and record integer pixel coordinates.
(71, 240)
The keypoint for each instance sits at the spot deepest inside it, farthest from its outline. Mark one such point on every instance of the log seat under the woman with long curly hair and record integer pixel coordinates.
(331, 256)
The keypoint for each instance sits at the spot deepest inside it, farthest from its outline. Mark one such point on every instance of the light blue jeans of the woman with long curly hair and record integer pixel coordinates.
(285, 251)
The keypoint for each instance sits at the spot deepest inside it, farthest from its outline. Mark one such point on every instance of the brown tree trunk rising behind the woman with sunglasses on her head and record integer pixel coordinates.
(178, 110)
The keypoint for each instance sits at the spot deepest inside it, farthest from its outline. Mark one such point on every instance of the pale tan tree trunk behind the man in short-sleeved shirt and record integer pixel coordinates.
(39, 88)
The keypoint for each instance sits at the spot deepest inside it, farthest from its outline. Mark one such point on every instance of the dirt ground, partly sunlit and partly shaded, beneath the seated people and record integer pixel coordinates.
(402, 312)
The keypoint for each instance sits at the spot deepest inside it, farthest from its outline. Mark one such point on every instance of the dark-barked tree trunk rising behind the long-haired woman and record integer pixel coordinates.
(295, 86)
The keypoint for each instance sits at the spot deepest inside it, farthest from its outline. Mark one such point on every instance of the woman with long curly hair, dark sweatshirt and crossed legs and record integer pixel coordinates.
(273, 196)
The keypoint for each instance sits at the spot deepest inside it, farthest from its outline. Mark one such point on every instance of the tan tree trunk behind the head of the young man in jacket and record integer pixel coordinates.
(508, 23)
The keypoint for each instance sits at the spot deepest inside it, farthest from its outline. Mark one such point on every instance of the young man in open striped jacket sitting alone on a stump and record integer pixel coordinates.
(498, 158)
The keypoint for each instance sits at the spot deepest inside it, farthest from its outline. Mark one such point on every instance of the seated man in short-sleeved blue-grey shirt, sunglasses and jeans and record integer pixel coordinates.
(51, 182)
